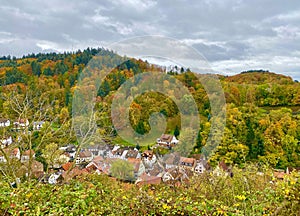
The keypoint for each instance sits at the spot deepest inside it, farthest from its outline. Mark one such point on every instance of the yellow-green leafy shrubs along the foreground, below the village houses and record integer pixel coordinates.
(246, 193)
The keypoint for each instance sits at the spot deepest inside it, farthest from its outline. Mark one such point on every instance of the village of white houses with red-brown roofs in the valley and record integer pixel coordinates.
(149, 167)
